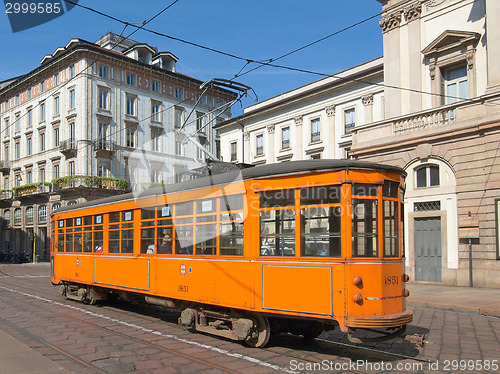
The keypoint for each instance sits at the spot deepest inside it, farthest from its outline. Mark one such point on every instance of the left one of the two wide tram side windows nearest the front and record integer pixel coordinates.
(277, 232)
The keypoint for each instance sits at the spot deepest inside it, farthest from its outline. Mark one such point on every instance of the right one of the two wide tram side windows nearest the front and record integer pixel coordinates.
(321, 233)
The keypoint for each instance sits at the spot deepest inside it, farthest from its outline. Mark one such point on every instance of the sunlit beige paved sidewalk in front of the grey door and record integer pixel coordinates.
(465, 299)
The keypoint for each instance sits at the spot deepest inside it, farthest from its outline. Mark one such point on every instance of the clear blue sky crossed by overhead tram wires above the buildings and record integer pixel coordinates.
(256, 30)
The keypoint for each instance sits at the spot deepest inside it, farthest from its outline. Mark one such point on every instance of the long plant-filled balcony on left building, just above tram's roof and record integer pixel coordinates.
(89, 181)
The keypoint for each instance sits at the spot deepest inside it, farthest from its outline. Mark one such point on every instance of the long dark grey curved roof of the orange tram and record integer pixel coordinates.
(258, 172)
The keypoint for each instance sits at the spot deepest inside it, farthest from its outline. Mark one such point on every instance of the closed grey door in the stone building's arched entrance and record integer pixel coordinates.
(428, 249)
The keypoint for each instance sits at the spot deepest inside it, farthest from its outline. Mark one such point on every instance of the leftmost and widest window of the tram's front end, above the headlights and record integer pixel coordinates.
(364, 228)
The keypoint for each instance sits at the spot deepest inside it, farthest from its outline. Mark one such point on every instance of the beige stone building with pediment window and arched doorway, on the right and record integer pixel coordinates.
(432, 108)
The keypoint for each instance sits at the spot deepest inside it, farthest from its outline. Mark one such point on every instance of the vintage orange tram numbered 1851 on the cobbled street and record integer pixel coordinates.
(298, 247)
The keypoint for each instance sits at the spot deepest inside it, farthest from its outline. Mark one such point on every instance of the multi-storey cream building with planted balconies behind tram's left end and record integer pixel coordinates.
(96, 119)
